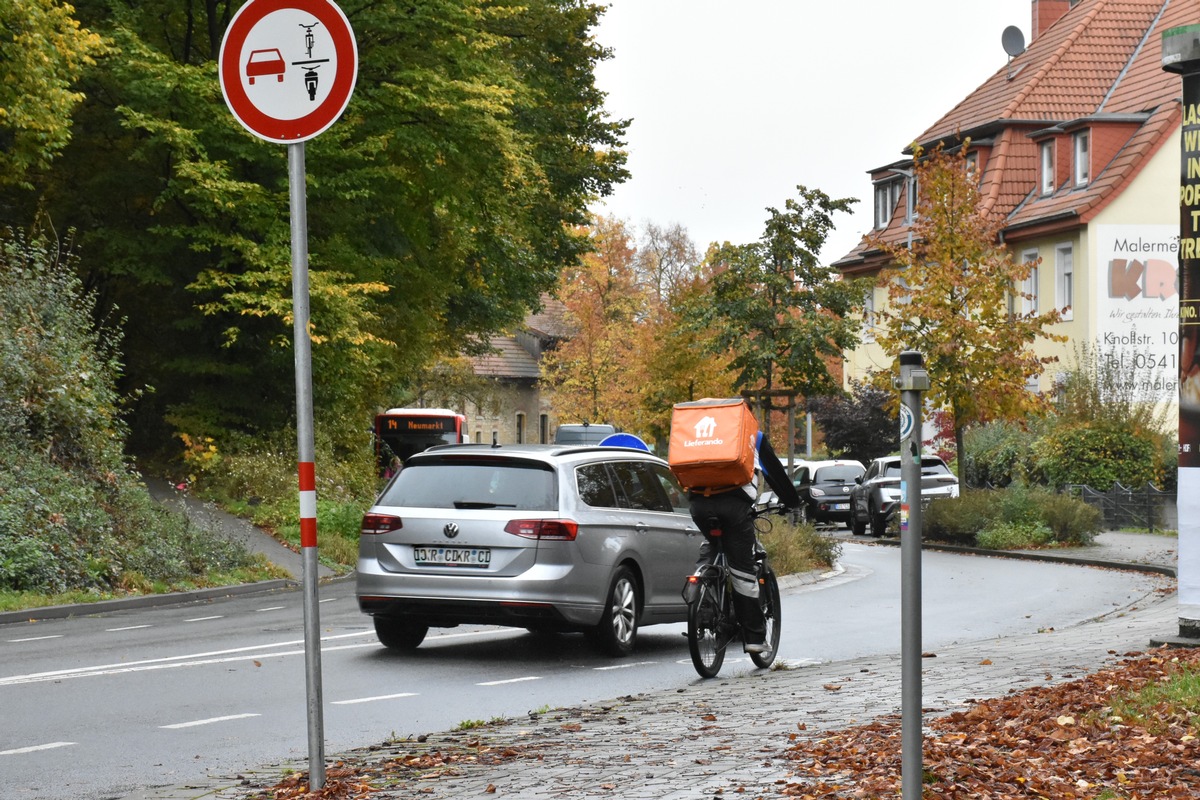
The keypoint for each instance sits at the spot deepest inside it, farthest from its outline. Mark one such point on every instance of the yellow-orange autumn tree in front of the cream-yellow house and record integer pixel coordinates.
(949, 298)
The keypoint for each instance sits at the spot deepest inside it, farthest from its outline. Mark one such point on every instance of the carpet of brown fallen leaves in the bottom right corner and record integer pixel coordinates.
(1059, 743)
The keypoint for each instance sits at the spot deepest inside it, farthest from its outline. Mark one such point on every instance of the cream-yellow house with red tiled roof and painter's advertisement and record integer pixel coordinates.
(1077, 146)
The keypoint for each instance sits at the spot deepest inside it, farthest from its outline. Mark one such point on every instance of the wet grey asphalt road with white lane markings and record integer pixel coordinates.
(95, 707)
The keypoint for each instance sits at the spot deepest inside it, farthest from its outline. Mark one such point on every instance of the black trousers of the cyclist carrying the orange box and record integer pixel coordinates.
(733, 514)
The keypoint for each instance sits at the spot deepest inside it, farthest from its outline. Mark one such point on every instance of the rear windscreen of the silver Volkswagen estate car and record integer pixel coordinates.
(469, 485)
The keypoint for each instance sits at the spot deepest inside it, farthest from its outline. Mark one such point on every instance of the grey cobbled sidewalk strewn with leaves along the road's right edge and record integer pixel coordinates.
(728, 736)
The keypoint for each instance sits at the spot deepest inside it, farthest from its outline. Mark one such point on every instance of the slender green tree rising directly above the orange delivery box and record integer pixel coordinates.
(783, 316)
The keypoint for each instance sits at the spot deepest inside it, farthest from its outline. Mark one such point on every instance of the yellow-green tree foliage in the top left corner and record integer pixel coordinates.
(44, 51)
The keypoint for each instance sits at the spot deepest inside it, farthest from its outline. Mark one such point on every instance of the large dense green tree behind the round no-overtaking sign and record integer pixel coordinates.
(441, 206)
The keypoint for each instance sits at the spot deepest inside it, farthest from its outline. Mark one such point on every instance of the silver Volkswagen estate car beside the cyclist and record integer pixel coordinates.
(560, 538)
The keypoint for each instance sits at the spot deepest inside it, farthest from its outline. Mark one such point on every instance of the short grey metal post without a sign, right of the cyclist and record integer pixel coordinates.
(914, 380)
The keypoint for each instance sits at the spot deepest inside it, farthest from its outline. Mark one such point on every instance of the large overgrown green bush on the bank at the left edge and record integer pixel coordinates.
(74, 514)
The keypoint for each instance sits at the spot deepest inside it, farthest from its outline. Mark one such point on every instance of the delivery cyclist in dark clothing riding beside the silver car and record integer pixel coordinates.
(730, 514)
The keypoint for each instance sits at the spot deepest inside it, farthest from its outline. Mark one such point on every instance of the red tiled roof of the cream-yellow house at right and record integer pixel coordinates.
(1099, 67)
